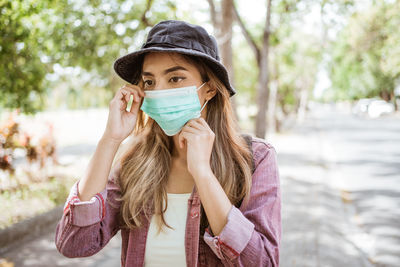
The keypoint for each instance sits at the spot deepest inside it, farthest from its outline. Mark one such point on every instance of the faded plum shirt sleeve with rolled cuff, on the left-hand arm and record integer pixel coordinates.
(86, 226)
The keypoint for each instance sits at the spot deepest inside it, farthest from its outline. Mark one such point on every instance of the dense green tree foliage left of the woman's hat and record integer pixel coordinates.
(39, 34)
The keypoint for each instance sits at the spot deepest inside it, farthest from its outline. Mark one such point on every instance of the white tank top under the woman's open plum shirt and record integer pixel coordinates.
(168, 247)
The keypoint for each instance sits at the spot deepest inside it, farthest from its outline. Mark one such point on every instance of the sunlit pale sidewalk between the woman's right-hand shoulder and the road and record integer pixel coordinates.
(316, 218)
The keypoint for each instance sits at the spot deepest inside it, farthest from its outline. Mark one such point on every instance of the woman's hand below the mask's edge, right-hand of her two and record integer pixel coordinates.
(199, 141)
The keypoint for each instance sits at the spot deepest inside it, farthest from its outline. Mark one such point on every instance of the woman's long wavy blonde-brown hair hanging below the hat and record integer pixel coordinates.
(146, 160)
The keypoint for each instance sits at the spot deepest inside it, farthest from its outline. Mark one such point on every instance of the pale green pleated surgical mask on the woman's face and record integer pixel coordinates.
(172, 108)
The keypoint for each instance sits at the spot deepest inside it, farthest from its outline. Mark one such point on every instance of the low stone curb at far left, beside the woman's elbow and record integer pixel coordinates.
(26, 230)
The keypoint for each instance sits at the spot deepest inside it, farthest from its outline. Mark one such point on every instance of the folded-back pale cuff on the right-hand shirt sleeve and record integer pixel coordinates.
(233, 238)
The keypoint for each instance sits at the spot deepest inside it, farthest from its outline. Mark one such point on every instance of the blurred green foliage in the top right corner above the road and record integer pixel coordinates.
(365, 57)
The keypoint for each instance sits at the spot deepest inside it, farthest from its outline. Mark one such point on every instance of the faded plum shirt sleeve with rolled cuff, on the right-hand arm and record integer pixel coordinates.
(252, 234)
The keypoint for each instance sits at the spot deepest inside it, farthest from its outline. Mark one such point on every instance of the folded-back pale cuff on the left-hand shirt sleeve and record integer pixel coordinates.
(84, 213)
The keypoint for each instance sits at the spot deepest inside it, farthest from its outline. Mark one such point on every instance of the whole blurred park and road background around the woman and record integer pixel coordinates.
(318, 79)
